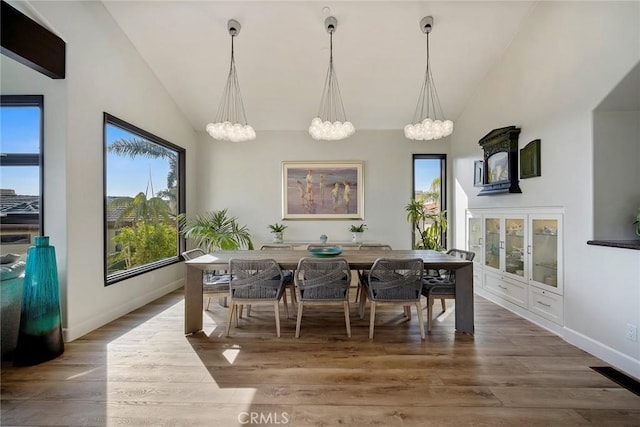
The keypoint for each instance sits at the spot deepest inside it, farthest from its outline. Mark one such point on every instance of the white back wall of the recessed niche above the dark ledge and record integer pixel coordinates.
(616, 174)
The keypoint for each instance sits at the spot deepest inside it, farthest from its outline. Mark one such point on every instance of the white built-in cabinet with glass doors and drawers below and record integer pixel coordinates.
(519, 258)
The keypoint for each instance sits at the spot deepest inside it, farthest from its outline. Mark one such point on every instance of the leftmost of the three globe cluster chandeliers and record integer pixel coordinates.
(231, 122)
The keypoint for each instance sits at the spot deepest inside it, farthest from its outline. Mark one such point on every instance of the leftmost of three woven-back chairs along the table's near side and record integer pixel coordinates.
(255, 281)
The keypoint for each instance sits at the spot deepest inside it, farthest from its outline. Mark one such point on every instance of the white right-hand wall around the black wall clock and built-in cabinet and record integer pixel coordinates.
(563, 62)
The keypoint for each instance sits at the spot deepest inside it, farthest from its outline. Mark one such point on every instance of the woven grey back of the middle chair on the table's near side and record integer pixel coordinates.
(320, 279)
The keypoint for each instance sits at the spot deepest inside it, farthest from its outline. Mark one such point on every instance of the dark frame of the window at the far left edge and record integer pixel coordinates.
(29, 159)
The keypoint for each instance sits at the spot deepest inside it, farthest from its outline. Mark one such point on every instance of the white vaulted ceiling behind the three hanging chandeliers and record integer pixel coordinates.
(282, 54)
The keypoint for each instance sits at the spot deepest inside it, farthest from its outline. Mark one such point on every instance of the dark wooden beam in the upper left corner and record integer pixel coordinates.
(29, 43)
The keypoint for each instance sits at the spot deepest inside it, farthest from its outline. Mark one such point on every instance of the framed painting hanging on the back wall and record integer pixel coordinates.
(321, 190)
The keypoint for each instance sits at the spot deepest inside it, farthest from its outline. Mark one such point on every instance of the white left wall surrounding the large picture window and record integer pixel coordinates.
(104, 73)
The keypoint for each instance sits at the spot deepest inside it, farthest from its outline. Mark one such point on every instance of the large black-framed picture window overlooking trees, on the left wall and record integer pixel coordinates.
(144, 194)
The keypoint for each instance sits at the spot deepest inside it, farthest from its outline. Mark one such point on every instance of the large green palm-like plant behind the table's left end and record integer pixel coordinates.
(216, 230)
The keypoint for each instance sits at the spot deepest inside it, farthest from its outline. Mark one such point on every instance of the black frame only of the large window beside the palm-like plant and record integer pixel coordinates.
(109, 119)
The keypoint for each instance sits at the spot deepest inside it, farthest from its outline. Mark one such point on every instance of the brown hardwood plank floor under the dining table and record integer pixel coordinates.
(142, 370)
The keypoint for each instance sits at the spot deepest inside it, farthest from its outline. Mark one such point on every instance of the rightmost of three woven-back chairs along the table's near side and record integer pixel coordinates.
(398, 282)
